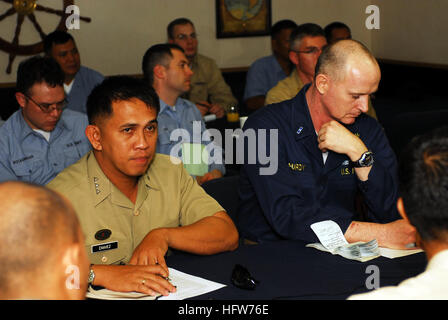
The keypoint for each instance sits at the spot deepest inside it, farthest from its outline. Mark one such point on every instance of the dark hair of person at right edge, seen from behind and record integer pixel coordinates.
(423, 176)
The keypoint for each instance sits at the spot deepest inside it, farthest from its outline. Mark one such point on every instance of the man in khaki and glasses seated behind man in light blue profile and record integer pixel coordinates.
(208, 91)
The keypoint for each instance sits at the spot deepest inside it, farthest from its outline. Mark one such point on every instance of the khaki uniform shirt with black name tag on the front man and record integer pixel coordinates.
(113, 226)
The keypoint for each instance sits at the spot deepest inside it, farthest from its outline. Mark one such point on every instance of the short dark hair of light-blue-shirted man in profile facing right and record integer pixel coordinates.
(157, 54)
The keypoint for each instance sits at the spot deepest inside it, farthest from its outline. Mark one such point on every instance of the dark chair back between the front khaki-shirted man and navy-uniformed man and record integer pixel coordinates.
(225, 191)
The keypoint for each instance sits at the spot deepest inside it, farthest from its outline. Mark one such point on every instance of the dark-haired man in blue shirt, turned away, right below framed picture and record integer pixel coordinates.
(266, 72)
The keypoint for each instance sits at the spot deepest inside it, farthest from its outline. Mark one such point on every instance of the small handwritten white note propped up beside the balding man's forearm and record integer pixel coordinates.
(329, 234)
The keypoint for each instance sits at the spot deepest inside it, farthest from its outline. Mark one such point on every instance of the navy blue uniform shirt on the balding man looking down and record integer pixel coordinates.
(304, 190)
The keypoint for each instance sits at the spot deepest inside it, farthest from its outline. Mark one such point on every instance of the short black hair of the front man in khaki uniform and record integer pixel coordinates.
(119, 88)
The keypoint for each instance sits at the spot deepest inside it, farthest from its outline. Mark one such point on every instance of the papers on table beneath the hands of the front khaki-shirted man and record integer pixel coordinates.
(187, 286)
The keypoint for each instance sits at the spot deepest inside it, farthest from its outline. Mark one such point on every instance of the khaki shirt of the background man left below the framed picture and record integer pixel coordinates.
(208, 84)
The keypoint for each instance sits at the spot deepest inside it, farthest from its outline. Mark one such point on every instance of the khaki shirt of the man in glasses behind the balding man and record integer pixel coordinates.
(289, 87)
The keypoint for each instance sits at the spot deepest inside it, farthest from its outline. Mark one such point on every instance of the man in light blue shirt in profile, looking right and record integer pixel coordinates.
(165, 68)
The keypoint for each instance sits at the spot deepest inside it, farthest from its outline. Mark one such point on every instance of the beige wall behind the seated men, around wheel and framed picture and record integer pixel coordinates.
(121, 31)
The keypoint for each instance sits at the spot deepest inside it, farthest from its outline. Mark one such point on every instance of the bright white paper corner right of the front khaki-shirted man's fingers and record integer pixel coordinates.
(189, 286)
